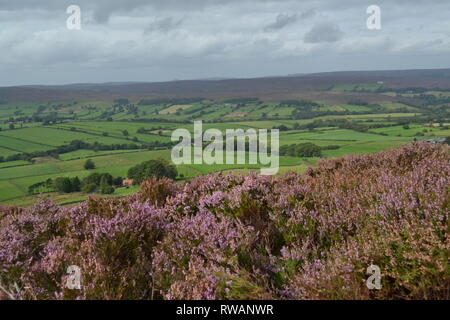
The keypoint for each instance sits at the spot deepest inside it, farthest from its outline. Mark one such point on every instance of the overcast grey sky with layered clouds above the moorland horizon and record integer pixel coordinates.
(159, 40)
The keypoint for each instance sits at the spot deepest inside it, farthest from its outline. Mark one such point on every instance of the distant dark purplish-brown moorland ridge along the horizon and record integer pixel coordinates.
(283, 86)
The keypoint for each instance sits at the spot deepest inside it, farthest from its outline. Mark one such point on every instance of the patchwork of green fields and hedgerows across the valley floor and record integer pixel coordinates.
(142, 124)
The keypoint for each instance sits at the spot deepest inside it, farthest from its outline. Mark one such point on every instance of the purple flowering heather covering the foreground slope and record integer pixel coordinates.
(309, 236)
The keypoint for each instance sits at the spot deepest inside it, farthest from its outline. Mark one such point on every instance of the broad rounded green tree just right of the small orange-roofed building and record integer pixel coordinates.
(154, 168)
